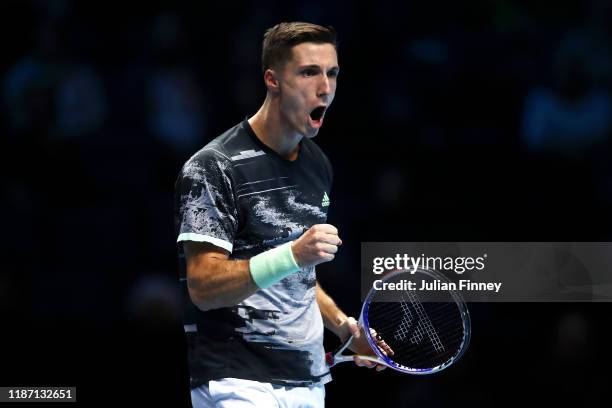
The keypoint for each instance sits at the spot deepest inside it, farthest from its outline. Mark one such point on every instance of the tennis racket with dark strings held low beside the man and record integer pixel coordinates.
(428, 330)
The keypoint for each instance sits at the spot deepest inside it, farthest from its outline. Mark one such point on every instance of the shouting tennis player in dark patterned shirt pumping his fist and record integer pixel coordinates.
(251, 220)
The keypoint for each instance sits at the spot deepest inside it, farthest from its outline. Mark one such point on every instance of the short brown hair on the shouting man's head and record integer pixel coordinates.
(279, 40)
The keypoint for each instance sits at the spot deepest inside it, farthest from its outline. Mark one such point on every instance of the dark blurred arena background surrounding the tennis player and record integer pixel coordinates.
(453, 121)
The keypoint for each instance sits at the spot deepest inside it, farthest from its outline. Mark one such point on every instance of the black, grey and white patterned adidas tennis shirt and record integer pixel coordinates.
(240, 195)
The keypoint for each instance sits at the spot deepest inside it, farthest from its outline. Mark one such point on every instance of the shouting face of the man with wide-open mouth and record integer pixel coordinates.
(307, 86)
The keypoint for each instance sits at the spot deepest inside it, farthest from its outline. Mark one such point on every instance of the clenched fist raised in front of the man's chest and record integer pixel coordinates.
(317, 245)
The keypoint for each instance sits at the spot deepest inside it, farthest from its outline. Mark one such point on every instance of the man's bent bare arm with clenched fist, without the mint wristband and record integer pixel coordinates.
(215, 281)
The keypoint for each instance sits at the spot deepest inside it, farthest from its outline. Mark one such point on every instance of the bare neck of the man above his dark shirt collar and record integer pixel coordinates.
(270, 128)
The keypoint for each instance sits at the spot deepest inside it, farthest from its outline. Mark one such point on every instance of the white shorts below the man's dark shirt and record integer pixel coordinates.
(239, 393)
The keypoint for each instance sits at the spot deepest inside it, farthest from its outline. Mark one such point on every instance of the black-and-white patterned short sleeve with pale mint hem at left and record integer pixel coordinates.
(205, 202)
